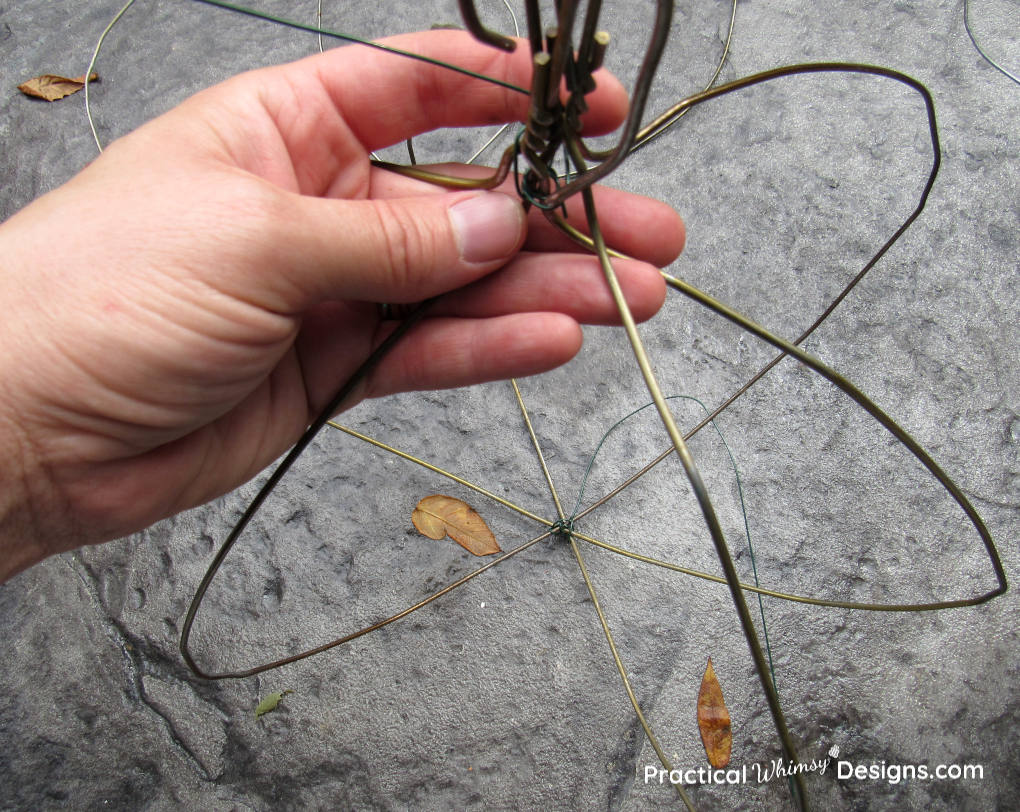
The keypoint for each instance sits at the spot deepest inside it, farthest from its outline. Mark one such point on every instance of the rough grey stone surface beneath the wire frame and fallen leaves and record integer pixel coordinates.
(503, 695)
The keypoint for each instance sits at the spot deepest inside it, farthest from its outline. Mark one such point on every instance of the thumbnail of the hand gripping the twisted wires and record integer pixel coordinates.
(487, 227)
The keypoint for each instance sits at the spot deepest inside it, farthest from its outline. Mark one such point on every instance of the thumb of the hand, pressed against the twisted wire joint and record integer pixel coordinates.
(395, 250)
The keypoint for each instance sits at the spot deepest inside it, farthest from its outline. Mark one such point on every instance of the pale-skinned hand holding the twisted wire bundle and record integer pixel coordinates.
(216, 276)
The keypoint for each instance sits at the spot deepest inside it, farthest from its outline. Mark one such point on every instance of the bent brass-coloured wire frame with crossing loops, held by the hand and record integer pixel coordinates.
(634, 137)
